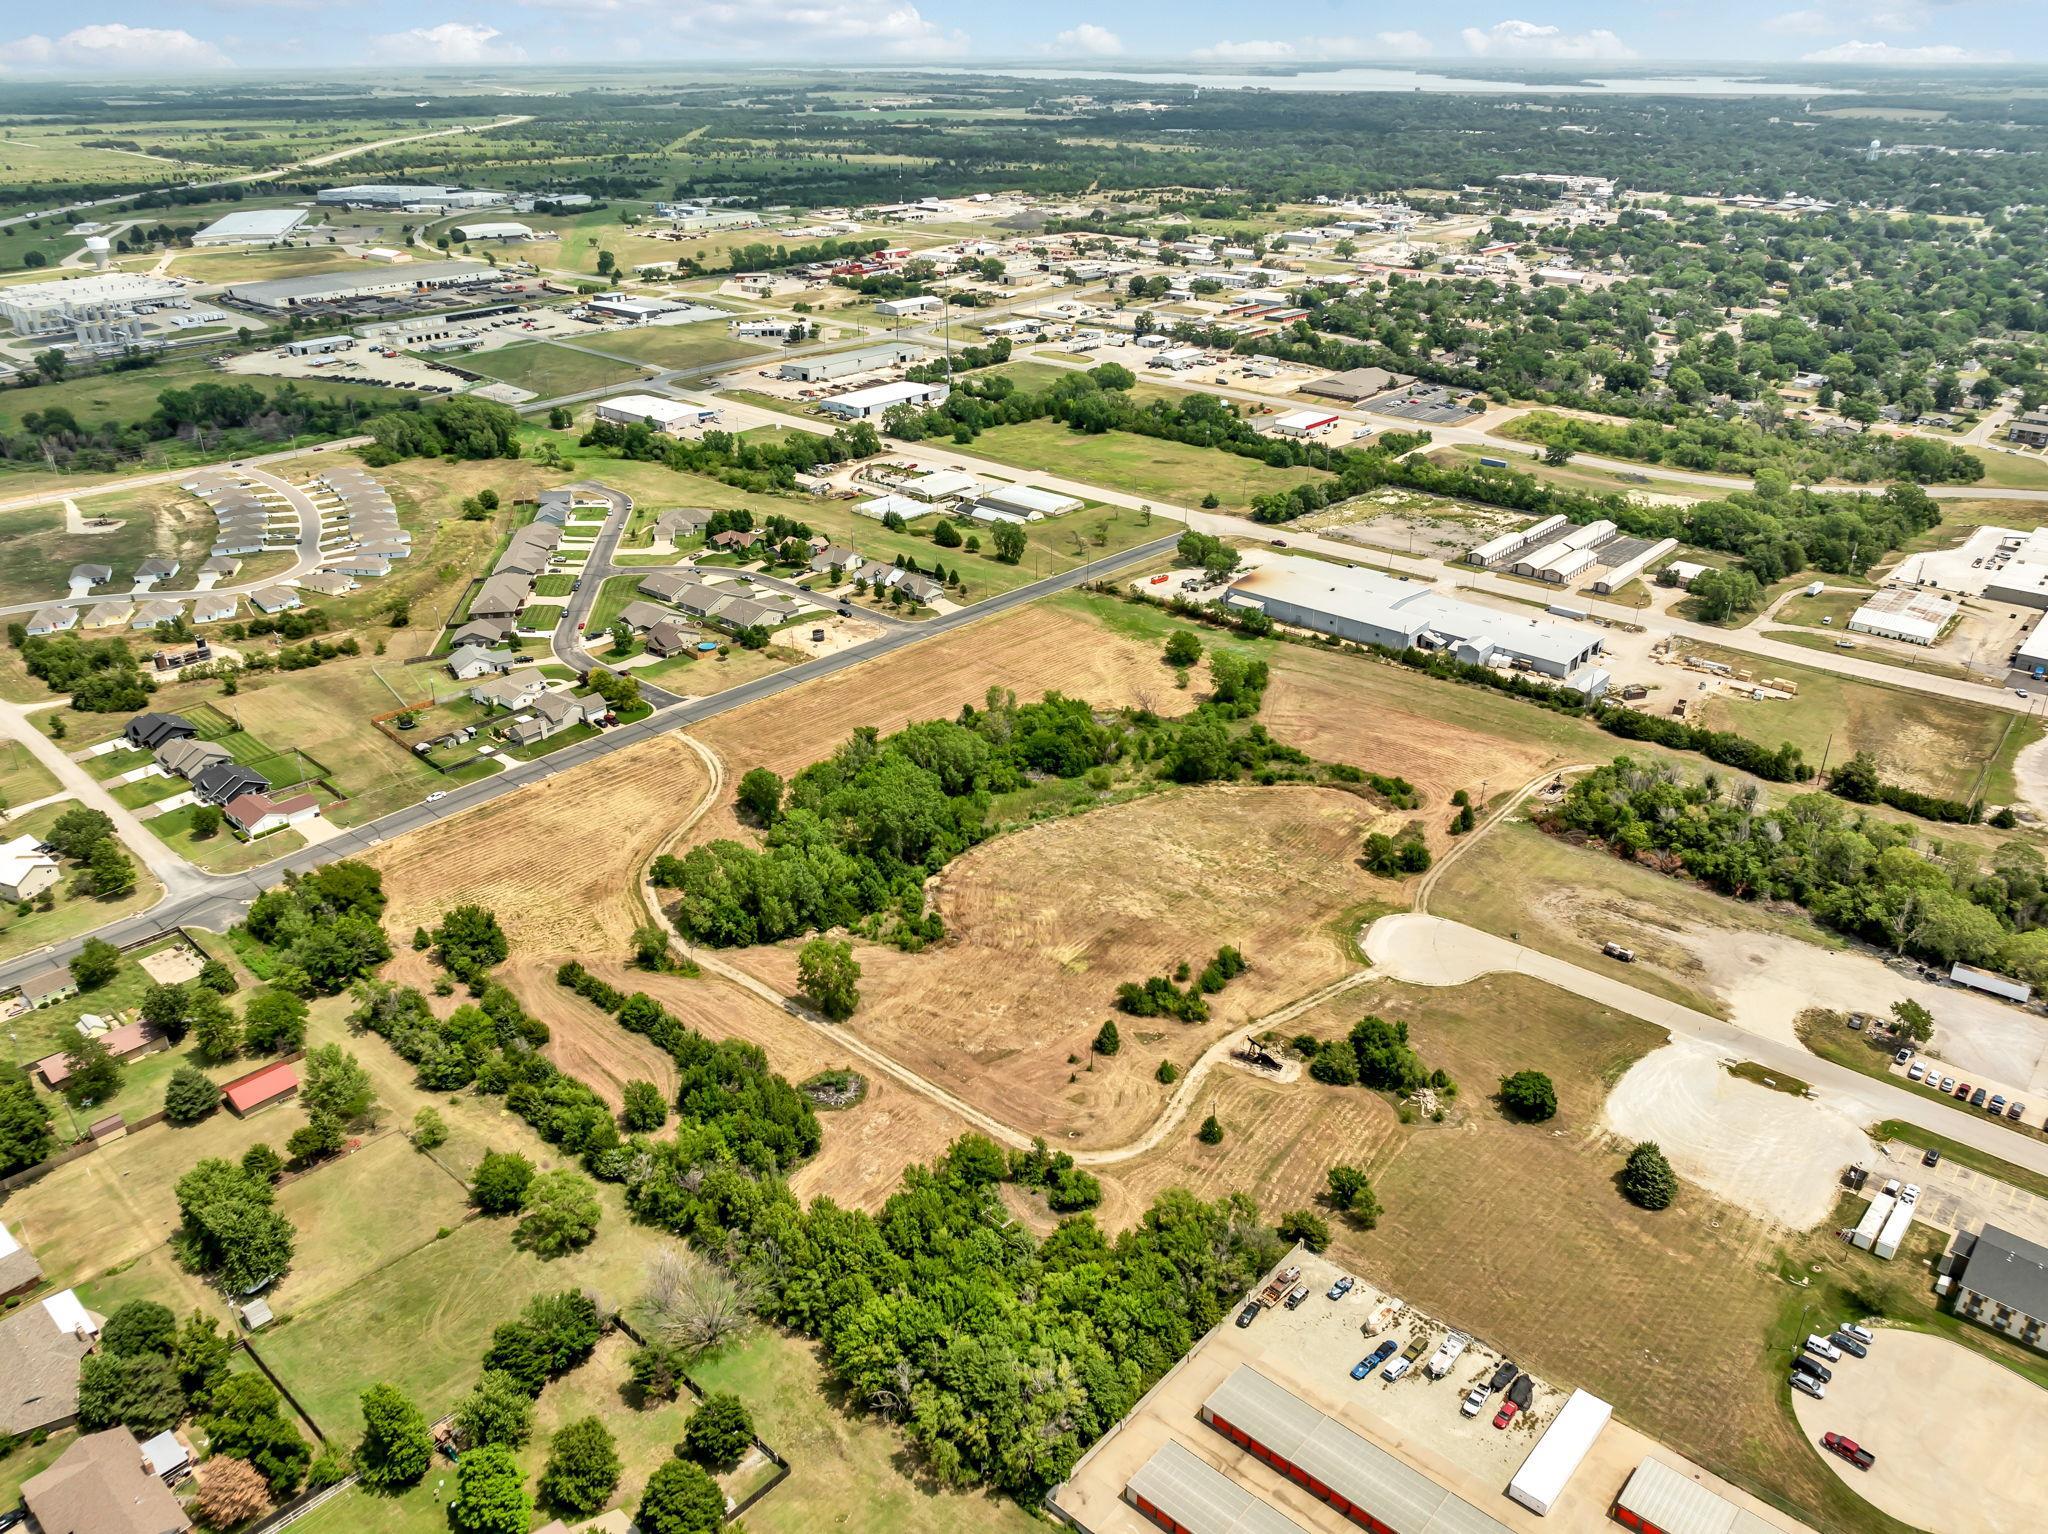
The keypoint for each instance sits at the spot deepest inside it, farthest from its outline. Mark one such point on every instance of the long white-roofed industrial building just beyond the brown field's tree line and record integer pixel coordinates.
(1373, 609)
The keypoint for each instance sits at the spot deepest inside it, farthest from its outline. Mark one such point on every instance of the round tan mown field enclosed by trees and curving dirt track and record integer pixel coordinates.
(1046, 925)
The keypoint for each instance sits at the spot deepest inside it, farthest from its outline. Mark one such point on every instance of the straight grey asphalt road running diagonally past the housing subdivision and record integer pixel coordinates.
(220, 900)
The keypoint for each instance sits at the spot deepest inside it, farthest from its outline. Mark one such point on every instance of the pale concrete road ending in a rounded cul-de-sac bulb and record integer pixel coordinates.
(1433, 951)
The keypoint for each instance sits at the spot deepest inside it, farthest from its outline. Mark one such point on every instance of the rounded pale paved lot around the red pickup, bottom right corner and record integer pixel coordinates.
(1951, 1431)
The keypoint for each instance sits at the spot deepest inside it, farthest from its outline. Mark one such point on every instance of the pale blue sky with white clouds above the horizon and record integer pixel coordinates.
(177, 38)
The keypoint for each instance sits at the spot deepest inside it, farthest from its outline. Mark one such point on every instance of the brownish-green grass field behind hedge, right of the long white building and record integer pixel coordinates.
(1920, 740)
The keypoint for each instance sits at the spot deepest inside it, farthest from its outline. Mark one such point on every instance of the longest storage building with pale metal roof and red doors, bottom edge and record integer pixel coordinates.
(1334, 1463)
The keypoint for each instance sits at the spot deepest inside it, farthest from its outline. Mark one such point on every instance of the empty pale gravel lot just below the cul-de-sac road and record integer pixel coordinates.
(1758, 1148)
